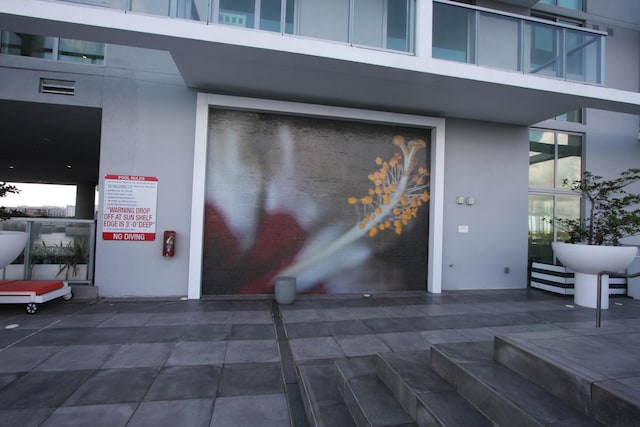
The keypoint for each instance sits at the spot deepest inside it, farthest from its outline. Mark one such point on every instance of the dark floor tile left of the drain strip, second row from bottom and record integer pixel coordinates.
(250, 378)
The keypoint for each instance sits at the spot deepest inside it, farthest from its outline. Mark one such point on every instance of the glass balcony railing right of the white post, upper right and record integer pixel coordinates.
(482, 37)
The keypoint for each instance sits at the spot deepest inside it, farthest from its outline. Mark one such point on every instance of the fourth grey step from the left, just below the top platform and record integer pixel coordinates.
(498, 392)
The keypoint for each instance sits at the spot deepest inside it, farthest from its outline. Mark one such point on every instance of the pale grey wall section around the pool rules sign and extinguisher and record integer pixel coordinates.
(147, 129)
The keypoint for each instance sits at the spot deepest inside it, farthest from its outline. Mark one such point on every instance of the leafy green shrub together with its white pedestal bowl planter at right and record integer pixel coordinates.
(612, 213)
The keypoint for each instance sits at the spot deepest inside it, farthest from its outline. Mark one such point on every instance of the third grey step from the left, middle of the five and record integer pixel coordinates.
(423, 394)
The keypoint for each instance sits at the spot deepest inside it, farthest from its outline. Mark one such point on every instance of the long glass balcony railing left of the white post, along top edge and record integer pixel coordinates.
(387, 25)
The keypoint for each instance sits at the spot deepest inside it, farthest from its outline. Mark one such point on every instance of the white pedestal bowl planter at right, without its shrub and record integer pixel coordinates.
(589, 260)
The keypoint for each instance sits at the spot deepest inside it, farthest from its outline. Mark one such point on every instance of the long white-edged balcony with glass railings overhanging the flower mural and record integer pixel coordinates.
(313, 68)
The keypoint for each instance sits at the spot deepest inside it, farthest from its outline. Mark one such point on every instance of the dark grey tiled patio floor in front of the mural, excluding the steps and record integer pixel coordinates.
(231, 362)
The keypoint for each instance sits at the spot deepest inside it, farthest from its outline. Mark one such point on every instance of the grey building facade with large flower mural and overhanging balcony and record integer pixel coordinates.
(357, 145)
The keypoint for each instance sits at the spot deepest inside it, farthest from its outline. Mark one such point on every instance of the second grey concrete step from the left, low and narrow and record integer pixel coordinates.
(369, 401)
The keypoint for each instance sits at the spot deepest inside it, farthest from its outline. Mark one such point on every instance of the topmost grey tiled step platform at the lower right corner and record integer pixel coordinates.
(596, 371)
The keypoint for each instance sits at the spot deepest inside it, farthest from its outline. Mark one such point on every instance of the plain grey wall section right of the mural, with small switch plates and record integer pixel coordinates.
(488, 162)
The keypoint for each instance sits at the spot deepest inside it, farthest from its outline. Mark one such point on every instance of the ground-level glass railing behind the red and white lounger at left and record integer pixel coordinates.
(56, 249)
